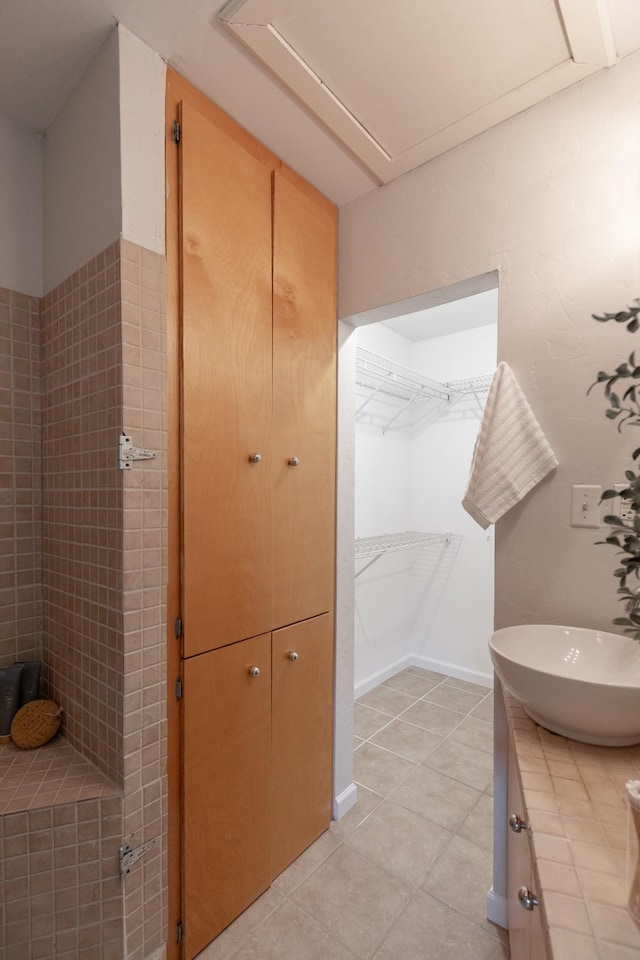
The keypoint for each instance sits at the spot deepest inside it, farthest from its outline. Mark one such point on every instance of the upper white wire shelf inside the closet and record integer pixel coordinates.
(403, 387)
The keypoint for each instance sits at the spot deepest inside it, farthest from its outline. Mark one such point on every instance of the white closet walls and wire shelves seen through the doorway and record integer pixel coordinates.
(415, 572)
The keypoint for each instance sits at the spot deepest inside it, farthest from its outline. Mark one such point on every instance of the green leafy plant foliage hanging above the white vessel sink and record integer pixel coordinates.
(622, 390)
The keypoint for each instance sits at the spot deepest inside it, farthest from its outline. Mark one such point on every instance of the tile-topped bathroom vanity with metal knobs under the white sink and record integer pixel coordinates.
(566, 828)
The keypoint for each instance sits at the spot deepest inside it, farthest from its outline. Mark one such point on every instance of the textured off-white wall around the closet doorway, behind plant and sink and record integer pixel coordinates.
(551, 200)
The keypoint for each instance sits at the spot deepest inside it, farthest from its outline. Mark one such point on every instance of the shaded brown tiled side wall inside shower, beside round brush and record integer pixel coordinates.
(82, 507)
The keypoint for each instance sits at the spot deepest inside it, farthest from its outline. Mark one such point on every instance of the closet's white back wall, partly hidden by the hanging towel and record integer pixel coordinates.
(457, 613)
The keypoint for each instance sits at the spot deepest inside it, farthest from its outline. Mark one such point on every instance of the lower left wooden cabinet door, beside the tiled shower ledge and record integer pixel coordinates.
(226, 786)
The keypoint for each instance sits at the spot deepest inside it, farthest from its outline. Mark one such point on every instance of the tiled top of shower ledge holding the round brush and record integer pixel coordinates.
(47, 776)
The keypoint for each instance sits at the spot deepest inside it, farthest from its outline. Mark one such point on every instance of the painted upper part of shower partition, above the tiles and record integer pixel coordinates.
(104, 159)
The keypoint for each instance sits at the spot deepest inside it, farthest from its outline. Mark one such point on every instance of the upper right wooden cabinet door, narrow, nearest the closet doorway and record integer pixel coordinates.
(304, 402)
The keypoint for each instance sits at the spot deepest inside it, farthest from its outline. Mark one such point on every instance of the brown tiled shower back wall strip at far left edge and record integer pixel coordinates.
(20, 485)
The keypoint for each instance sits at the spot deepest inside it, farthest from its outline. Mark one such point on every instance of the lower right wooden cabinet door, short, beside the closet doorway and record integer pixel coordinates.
(302, 736)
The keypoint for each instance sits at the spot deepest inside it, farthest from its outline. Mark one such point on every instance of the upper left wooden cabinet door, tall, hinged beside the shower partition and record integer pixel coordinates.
(226, 387)
